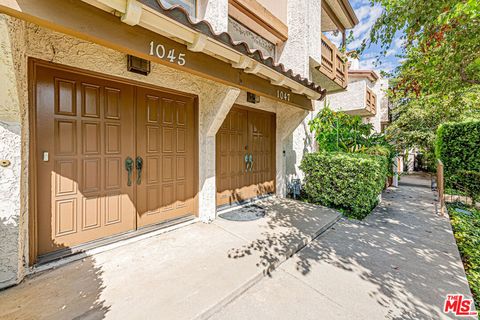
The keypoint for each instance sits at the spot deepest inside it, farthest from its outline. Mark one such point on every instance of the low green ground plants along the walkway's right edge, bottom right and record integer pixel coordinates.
(466, 228)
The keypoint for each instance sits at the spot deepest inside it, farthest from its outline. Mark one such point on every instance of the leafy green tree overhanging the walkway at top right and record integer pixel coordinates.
(439, 77)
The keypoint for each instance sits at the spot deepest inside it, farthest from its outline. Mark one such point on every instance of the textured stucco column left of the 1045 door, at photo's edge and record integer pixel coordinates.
(11, 202)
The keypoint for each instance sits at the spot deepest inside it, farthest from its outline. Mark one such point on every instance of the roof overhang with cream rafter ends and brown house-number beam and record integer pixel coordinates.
(132, 26)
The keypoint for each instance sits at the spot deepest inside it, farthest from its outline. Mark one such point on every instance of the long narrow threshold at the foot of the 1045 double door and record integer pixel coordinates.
(64, 256)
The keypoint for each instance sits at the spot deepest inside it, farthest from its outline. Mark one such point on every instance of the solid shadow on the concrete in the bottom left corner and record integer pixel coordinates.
(72, 291)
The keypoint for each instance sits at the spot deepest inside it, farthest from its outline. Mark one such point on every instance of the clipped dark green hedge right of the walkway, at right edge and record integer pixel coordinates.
(458, 146)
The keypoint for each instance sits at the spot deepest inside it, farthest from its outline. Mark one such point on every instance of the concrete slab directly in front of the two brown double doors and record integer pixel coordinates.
(191, 272)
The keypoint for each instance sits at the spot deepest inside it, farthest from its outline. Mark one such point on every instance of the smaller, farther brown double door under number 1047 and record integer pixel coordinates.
(245, 155)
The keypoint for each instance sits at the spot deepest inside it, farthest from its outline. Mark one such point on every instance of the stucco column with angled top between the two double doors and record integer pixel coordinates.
(210, 121)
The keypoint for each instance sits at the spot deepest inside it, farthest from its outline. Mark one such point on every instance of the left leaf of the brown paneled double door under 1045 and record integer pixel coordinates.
(84, 124)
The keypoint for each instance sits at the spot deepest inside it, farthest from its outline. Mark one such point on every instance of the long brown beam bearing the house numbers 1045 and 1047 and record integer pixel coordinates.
(86, 22)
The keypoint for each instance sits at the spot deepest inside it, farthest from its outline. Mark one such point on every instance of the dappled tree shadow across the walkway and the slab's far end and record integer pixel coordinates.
(403, 250)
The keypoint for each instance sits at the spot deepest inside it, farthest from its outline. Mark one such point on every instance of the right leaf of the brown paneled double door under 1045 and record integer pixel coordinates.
(166, 142)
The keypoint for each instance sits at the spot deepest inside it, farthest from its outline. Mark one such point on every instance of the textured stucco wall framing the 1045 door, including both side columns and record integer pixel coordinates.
(20, 40)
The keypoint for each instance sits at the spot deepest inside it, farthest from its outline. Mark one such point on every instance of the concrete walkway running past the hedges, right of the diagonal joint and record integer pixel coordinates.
(397, 264)
